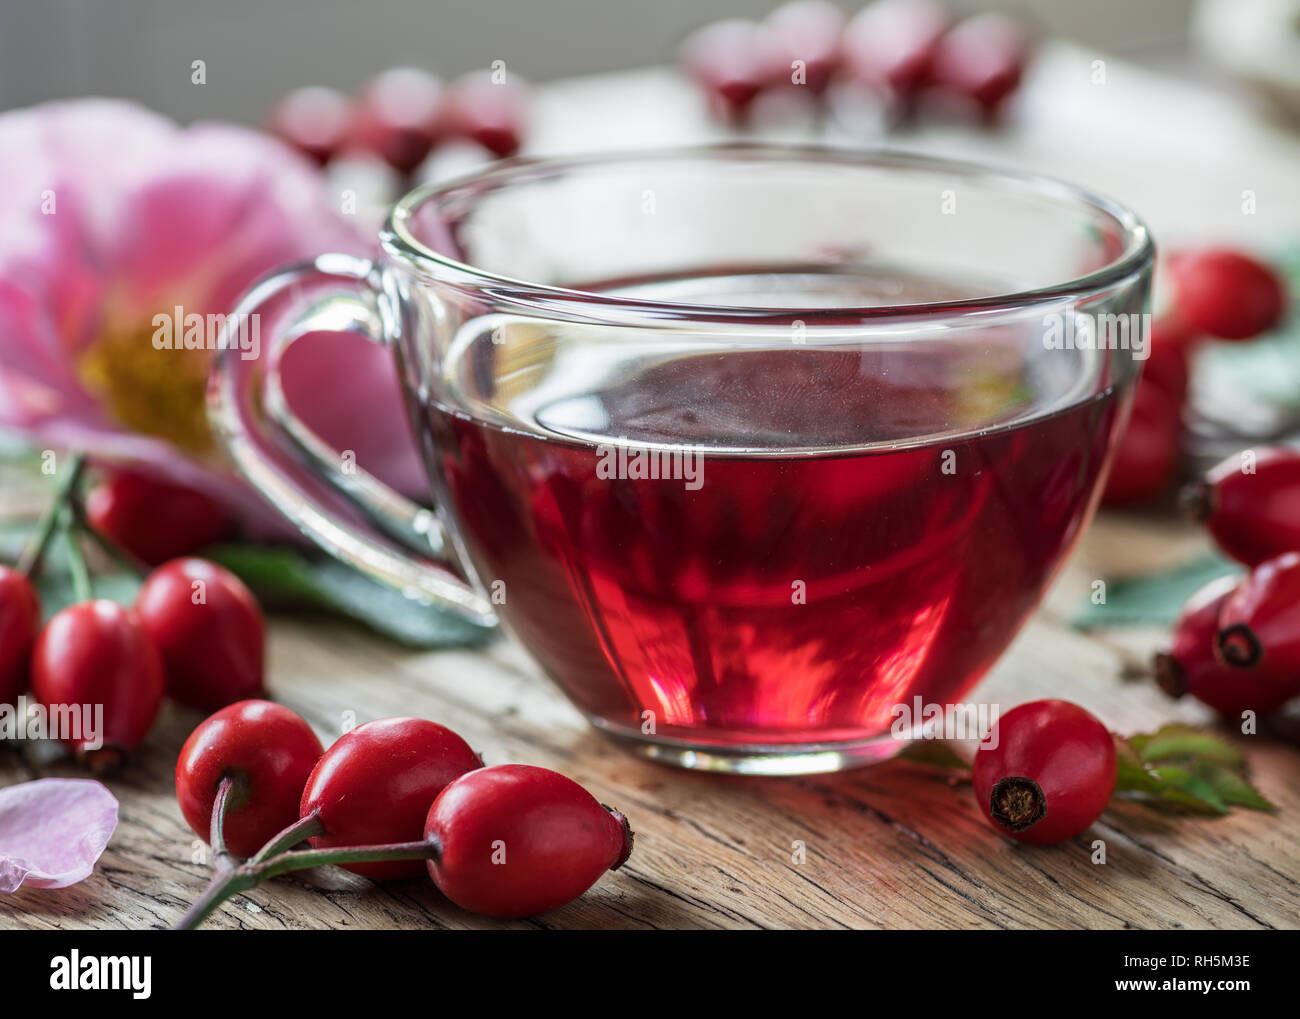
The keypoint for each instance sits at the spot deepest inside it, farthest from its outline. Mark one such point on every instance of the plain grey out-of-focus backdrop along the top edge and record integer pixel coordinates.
(257, 50)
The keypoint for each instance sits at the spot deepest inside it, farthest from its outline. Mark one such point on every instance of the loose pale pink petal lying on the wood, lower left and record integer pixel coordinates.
(53, 831)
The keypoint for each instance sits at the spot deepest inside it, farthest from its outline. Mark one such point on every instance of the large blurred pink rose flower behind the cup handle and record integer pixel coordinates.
(112, 216)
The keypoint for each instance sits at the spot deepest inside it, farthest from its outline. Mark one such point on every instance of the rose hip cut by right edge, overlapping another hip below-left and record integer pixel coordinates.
(1260, 622)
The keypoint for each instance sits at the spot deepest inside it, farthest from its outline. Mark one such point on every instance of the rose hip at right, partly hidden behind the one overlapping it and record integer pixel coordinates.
(1191, 666)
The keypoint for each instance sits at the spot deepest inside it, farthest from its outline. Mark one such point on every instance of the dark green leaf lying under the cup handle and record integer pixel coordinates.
(281, 575)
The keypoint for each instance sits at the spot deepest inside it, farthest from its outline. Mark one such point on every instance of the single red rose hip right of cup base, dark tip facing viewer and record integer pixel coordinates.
(1046, 773)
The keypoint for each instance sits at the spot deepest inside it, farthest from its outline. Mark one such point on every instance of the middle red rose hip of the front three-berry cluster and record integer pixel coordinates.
(376, 783)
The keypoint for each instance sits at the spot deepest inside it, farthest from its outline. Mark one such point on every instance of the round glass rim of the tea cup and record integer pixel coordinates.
(551, 301)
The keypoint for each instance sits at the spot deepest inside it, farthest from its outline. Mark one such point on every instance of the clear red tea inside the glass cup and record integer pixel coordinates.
(846, 530)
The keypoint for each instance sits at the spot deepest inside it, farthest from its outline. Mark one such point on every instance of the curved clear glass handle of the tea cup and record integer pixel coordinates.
(293, 467)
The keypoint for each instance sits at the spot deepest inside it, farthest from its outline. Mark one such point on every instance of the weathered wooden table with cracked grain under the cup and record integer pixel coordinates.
(895, 845)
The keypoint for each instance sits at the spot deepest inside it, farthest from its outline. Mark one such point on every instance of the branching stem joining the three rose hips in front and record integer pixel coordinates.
(279, 857)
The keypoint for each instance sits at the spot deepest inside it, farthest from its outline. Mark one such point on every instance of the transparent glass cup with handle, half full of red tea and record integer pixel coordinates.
(753, 449)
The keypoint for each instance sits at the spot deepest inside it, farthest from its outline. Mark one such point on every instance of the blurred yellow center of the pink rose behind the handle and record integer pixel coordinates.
(149, 391)
